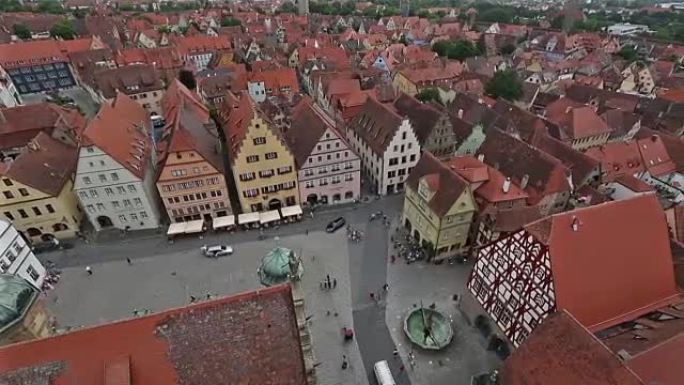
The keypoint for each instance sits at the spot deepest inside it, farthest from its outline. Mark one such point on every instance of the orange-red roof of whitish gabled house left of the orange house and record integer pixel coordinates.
(122, 130)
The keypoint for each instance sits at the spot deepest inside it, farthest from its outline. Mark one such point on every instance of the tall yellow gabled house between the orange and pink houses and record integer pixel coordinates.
(262, 165)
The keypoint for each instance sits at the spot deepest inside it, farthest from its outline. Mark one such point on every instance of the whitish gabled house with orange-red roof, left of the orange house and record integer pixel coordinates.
(115, 174)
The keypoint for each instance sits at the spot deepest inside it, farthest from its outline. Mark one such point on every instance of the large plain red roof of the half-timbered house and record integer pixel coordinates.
(618, 247)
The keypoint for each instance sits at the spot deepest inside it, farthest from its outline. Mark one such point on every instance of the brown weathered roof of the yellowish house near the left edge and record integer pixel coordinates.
(45, 165)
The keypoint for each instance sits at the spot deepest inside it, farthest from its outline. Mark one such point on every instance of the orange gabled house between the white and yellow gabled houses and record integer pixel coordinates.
(190, 178)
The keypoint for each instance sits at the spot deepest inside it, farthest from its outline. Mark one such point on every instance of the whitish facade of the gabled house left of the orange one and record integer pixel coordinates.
(111, 195)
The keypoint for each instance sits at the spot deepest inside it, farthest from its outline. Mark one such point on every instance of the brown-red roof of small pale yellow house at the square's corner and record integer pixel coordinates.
(446, 185)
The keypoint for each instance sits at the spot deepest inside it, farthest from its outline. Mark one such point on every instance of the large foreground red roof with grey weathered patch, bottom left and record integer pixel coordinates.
(249, 338)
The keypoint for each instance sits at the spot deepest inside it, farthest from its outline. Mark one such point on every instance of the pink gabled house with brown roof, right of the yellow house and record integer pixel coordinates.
(328, 170)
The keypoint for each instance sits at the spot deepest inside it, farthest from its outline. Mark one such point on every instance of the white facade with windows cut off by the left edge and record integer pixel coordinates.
(16, 257)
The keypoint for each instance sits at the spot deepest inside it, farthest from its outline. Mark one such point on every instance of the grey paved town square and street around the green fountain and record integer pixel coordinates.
(165, 274)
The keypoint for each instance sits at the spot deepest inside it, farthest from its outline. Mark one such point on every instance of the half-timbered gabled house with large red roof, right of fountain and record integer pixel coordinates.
(564, 260)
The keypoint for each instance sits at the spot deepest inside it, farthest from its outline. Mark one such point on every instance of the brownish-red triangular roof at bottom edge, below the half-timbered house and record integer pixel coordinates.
(561, 351)
